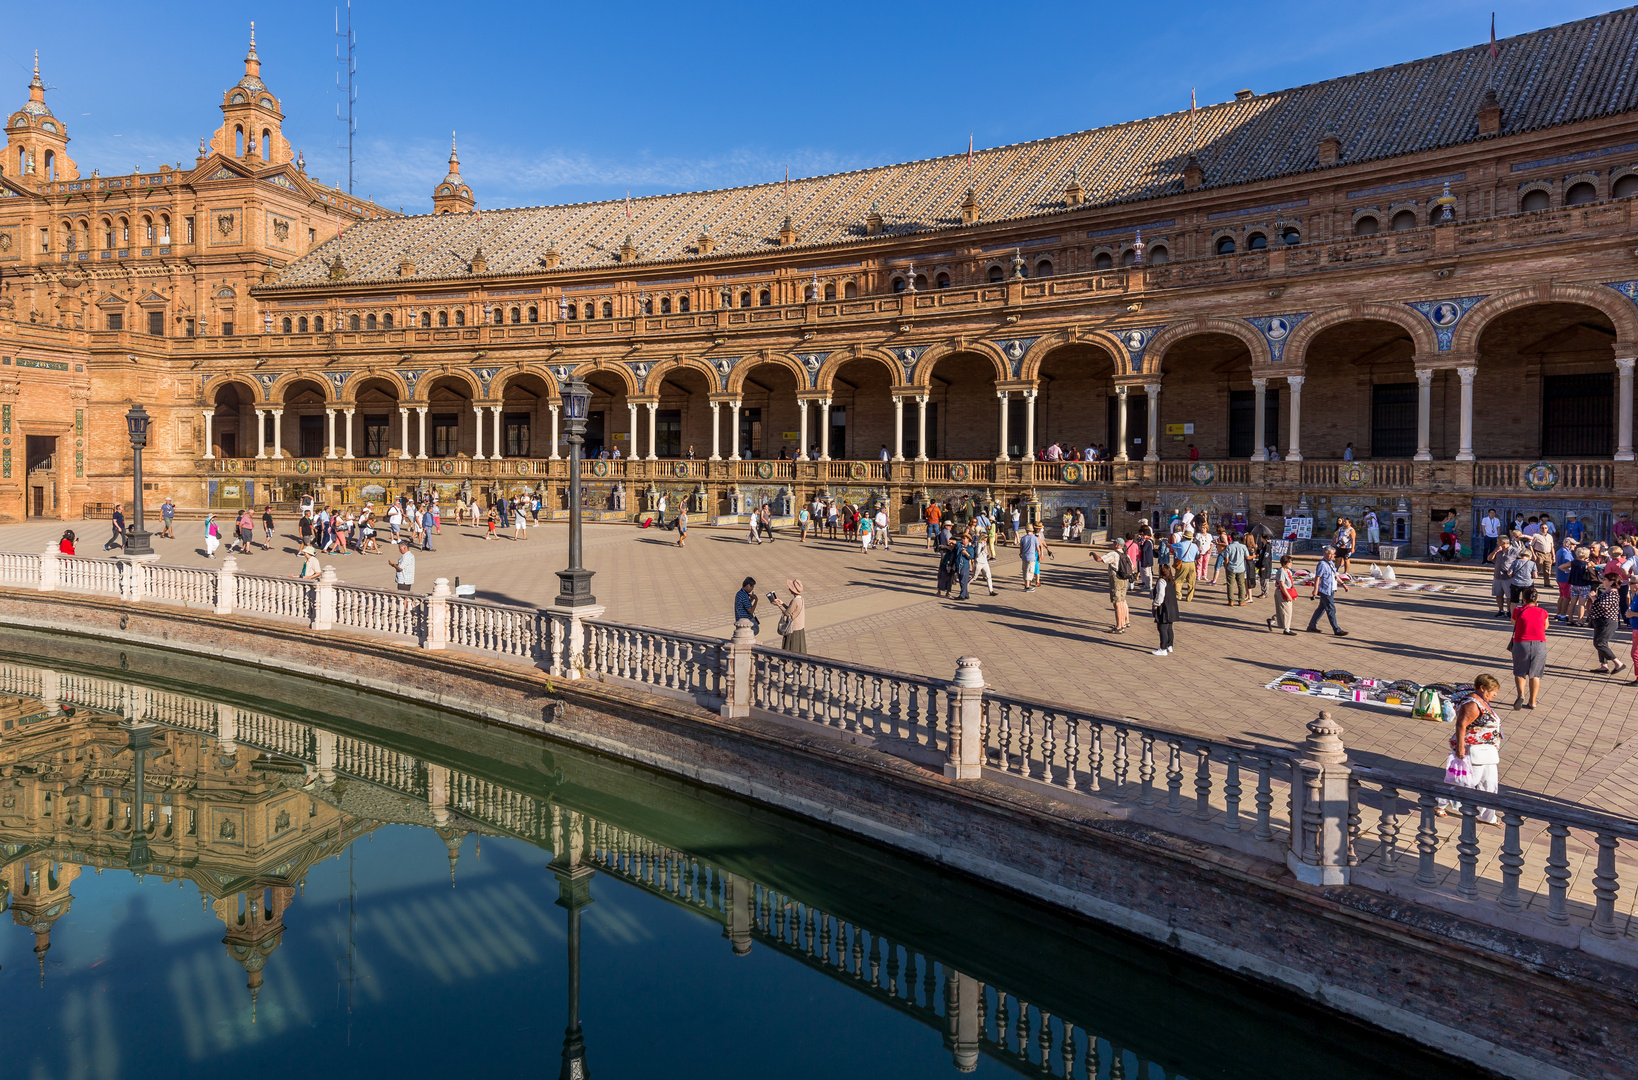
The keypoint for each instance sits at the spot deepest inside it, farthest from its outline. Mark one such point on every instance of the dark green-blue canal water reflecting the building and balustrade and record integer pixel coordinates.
(340, 884)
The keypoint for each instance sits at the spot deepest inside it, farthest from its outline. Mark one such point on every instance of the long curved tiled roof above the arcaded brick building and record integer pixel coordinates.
(1549, 78)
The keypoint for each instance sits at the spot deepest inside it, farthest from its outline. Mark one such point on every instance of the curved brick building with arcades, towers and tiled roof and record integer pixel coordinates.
(1431, 265)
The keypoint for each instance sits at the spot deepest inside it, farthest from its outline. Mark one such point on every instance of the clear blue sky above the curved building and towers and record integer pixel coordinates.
(582, 102)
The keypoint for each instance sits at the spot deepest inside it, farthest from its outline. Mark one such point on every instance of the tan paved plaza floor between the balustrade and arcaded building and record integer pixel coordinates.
(882, 610)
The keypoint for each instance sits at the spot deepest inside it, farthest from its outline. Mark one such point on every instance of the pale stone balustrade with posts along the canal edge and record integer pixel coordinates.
(1549, 869)
